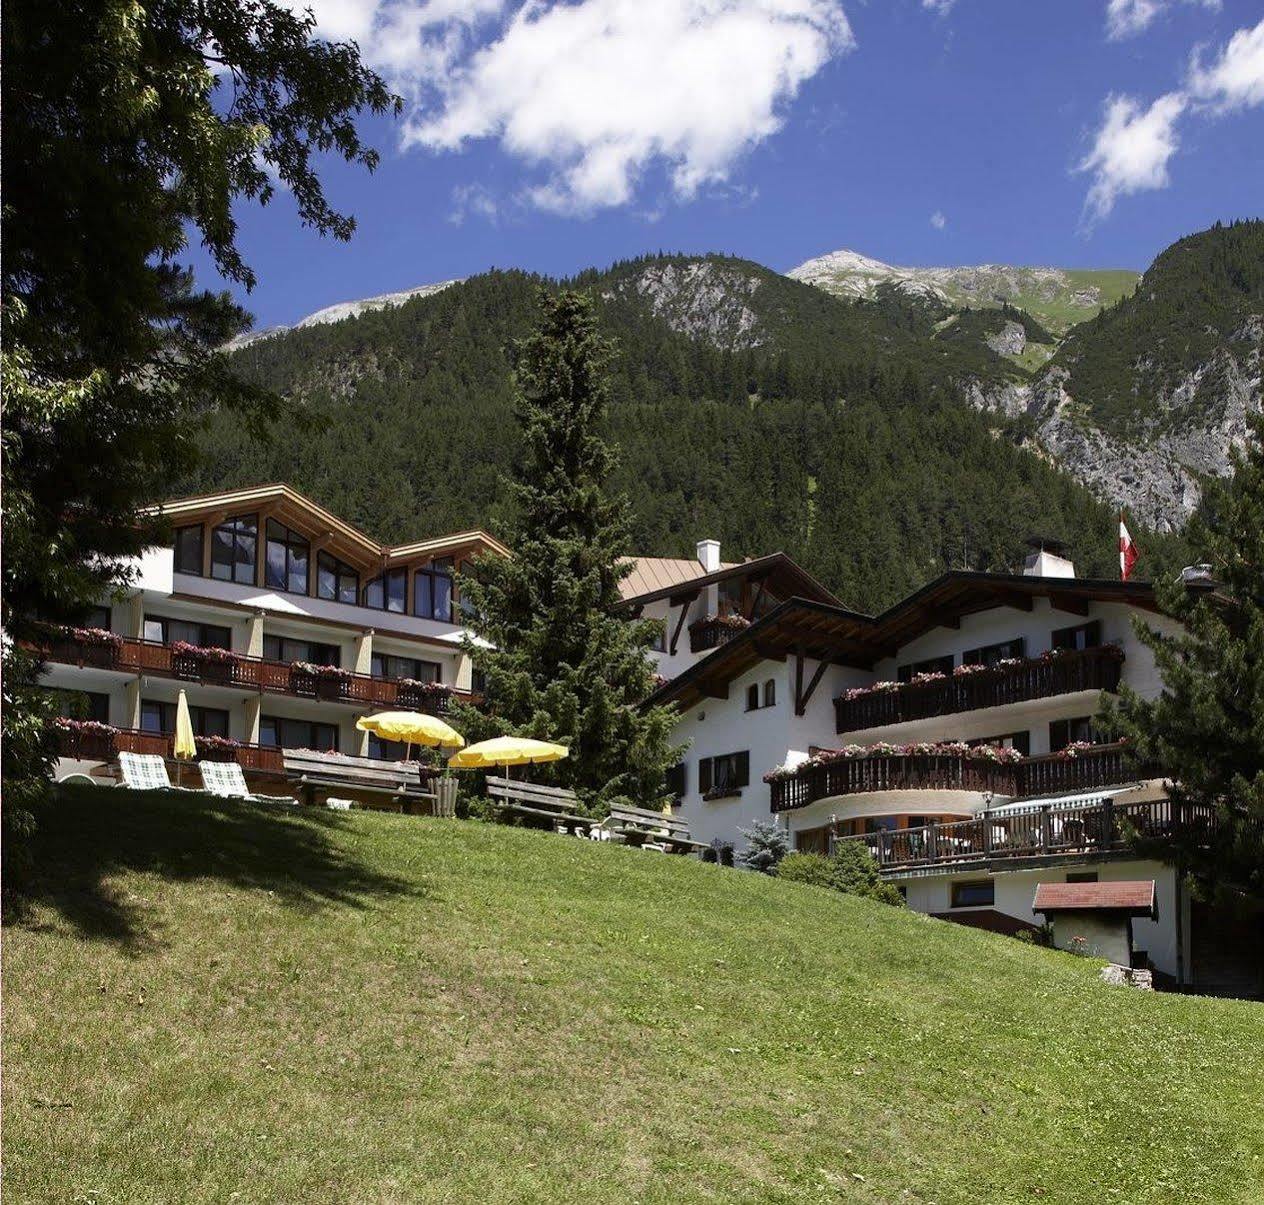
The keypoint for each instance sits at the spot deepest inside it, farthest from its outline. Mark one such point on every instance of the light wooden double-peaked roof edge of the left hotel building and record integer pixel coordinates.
(289, 506)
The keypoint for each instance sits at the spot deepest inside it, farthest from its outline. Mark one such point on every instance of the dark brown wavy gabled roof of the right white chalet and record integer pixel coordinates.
(827, 633)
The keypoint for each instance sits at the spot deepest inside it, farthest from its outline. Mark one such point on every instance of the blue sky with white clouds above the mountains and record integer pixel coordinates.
(1079, 133)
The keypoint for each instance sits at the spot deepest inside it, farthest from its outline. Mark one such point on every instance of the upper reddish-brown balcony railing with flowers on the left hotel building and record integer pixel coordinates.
(160, 661)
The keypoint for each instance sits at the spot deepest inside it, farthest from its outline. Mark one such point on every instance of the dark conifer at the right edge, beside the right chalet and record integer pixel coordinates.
(1206, 730)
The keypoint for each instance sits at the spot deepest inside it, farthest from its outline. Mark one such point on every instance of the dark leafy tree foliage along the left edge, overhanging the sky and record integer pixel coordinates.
(131, 125)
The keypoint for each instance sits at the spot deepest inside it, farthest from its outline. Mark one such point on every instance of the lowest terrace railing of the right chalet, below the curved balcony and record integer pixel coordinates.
(1035, 831)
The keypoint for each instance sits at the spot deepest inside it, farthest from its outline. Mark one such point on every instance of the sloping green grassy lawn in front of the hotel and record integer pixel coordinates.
(221, 1003)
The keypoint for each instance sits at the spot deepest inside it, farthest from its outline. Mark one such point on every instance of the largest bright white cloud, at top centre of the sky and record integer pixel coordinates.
(596, 93)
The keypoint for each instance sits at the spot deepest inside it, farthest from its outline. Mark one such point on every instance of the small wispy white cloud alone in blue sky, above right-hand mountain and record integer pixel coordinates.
(1132, 151)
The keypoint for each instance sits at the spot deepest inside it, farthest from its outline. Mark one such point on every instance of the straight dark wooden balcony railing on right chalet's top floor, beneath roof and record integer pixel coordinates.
(1033, 678)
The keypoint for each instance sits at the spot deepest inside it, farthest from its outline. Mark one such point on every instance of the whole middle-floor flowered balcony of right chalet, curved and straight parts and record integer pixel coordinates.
(1081, 768)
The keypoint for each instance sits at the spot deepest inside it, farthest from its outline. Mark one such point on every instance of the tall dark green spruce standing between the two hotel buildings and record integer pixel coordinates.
(567, 663)
